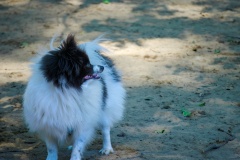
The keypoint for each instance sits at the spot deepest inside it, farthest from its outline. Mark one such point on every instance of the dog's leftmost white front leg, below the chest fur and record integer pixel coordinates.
(52, 150)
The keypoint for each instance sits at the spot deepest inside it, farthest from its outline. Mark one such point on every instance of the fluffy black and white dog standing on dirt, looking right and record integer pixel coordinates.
(72, 91)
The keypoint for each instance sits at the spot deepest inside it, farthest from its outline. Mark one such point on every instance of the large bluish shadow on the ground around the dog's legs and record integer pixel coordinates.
(153, 118)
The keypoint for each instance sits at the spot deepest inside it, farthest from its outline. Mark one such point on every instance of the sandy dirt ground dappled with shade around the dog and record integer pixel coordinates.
(180, 62)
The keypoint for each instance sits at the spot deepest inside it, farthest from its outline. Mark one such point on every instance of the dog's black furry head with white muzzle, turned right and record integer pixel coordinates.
(69, 65)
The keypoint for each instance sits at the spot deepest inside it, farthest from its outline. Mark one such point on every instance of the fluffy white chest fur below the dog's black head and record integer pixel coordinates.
(64, 110)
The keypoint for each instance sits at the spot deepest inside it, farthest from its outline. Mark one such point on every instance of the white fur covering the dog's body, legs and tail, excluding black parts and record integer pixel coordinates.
(52, 112)
